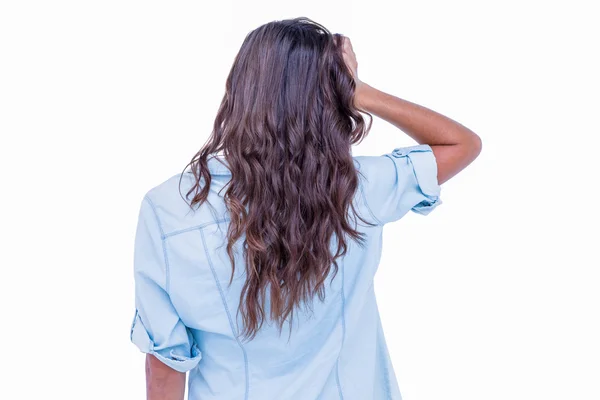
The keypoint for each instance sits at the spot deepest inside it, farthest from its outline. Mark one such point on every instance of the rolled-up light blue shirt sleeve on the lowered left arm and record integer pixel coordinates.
(157, 328)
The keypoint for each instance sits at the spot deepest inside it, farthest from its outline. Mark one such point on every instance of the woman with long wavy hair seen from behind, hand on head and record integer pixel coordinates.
(276, 227)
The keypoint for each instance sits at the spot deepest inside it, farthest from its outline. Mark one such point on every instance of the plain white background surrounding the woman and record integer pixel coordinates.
(492, 296)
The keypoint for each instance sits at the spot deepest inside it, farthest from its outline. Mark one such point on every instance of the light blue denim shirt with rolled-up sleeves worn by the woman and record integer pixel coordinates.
(185, 312)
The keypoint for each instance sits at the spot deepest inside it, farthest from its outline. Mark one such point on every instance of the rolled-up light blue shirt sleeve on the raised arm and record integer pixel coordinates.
(402, 180)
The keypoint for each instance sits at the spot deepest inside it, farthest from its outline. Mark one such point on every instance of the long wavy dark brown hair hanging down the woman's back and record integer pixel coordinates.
(286, 126)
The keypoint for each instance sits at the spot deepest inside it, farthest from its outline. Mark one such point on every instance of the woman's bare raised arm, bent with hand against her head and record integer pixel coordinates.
(454, 145)
